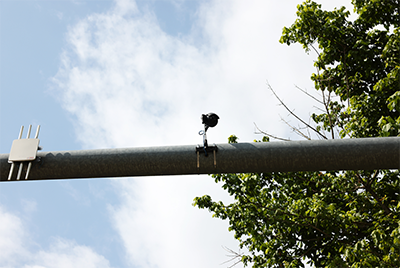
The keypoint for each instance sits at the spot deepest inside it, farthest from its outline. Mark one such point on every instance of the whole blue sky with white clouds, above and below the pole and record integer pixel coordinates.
(125, 73)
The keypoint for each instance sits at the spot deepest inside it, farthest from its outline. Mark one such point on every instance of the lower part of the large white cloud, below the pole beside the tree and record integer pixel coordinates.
(160, 228)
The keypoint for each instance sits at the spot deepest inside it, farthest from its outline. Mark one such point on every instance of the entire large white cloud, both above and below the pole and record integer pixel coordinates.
(130, 84)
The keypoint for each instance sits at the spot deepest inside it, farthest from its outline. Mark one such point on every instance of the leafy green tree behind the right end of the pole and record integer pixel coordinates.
(335, 218)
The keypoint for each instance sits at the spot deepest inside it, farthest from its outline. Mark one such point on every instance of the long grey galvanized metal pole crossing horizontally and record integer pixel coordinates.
(346, 154)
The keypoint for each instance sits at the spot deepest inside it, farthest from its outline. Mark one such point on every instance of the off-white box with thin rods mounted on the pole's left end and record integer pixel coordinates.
(23, 150)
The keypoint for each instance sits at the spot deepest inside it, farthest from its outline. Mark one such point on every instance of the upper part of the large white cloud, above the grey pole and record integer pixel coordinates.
(129, 83)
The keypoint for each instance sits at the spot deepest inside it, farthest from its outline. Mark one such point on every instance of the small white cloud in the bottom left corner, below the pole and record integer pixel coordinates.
(17, 248)
